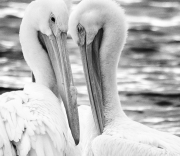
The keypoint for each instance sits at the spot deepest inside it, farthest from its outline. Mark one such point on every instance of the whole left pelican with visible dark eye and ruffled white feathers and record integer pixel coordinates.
(34, 118)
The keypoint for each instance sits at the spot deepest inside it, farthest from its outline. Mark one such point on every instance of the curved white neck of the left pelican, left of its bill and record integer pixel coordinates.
(36, 57)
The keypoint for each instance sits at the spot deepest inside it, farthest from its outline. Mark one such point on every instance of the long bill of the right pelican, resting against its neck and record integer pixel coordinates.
(92, 69)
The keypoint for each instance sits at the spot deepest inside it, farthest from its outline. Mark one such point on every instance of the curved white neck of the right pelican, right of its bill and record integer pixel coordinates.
(112, 44)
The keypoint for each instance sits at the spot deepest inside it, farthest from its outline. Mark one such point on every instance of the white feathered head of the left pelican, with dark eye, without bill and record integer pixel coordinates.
(48, 17)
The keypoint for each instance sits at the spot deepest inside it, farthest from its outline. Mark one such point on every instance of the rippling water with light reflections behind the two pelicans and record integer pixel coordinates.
(149, 69)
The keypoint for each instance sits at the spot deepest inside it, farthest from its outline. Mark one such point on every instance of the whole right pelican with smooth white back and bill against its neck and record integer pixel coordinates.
(99, 28)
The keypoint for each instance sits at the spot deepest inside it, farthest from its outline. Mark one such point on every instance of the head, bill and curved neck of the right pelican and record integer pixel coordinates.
(99, 28)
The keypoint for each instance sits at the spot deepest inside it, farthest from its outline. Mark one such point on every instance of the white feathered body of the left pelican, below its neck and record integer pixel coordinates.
(35, 121)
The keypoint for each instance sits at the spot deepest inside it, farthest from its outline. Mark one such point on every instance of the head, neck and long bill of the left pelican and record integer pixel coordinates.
(43, 35)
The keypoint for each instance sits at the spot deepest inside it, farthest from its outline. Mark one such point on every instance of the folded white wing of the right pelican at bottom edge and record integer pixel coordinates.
(109, 145)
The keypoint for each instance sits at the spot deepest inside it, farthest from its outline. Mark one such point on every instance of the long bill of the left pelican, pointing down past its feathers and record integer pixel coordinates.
(58, 54)
